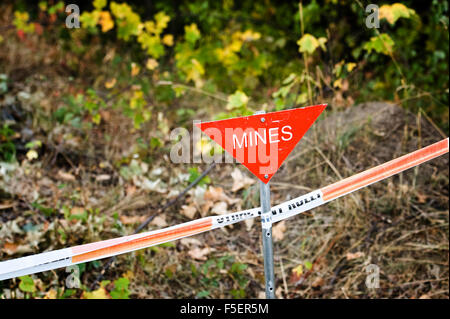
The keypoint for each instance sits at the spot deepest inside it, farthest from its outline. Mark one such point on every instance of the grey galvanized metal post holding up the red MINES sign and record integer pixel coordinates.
(266, 223)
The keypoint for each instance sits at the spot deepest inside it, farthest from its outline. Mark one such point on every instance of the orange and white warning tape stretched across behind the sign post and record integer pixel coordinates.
(107, 248)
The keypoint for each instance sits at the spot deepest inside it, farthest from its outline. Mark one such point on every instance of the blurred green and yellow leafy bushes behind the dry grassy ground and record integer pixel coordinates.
(275, 54)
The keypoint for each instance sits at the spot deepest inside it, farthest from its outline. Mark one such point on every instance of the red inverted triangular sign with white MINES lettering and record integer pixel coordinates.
(262, 142)
